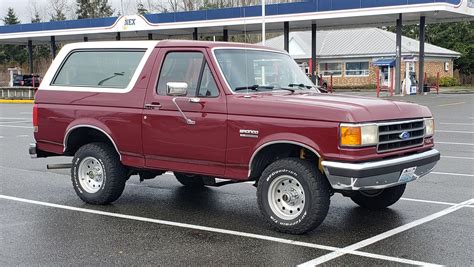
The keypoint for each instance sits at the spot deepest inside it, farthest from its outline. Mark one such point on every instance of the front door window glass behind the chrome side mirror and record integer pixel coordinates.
(181, 67)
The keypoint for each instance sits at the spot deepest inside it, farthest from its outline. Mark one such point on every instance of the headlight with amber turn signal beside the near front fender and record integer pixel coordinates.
(355, 135)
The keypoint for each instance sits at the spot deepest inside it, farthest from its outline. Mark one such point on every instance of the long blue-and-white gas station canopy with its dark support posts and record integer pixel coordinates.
(307, 15)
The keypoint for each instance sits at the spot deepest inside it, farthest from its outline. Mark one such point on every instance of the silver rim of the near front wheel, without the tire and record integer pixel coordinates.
(286, 197)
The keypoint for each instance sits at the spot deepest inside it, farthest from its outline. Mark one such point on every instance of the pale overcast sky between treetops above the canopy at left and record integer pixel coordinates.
(24, 9)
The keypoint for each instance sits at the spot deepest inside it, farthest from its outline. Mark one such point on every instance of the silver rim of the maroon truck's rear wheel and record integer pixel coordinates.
(91, 175)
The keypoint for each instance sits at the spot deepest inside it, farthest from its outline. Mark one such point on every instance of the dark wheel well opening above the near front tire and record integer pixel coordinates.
(274, 152)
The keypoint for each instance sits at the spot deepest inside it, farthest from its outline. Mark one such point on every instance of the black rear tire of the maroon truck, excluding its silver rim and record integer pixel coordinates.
(114, 173)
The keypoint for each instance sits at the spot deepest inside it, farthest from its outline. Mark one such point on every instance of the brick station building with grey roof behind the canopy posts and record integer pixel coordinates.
(353, 56)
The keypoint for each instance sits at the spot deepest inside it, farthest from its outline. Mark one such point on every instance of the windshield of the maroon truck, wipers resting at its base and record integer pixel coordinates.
(259, 70)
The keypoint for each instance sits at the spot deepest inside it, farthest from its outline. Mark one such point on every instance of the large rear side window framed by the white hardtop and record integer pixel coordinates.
(99, 69)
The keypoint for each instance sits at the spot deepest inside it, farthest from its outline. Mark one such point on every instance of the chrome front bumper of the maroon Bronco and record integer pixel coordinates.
(378, 174)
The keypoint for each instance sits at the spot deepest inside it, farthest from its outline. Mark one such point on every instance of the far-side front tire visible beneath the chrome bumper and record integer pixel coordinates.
(383, 199)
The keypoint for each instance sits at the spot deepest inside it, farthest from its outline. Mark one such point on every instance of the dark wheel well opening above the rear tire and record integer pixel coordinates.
(84, 135)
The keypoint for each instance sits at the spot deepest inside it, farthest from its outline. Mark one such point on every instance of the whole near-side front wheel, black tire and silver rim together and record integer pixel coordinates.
(293, 196)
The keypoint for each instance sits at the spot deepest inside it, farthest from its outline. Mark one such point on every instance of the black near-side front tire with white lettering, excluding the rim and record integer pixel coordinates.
(316, 195)
